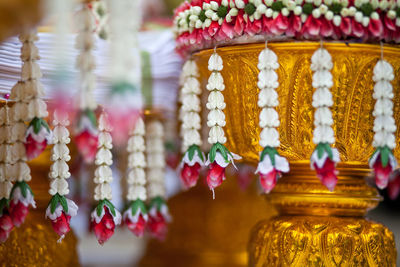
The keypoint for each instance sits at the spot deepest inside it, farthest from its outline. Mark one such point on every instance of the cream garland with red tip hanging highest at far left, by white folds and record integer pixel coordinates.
(31, 107)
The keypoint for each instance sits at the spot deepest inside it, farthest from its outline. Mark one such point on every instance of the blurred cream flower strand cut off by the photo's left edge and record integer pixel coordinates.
(6, 175)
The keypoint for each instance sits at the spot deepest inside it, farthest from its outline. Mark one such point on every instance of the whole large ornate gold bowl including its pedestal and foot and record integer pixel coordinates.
(306, 233)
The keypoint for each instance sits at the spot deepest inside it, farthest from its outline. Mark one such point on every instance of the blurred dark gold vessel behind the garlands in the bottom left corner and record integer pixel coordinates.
(35, 242)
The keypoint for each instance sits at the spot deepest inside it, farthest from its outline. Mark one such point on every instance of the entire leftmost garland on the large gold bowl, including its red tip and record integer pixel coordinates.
(193, 158)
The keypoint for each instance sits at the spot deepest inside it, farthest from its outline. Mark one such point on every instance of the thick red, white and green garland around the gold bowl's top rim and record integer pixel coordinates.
(201, 24)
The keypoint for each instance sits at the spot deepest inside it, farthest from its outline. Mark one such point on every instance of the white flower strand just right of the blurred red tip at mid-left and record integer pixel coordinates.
(103, 173)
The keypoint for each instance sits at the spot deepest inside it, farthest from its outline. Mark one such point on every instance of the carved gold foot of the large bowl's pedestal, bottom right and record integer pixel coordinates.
(321, 241)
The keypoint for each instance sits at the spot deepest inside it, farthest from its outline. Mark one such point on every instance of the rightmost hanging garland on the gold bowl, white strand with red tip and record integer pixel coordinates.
(382, 161)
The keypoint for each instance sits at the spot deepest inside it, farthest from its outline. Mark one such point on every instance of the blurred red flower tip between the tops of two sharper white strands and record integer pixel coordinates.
(87, 145)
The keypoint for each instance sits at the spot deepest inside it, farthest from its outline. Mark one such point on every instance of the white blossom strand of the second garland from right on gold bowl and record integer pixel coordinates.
(321, 64)
